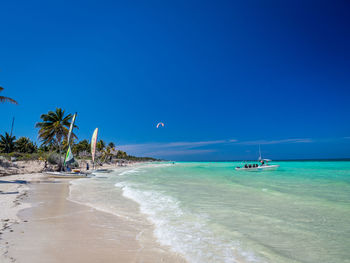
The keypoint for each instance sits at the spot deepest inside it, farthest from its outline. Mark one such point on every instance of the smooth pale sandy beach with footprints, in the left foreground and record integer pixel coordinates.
(39, 224)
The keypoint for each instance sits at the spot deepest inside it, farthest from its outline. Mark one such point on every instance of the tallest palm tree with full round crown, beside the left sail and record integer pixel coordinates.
(54, 128)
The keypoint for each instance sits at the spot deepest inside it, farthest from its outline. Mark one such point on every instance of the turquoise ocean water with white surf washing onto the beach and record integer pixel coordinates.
(208, 212)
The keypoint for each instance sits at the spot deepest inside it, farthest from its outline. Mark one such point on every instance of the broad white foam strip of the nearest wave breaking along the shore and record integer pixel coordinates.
(184, 232)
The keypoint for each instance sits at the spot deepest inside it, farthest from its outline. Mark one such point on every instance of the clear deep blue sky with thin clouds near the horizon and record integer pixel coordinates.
(223, 76)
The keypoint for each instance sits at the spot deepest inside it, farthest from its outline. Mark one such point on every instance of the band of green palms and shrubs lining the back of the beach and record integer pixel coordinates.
(53, 132)
